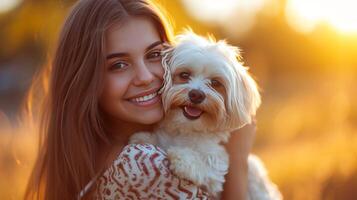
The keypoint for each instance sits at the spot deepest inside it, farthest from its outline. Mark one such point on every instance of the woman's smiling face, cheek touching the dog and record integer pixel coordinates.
(133, 73)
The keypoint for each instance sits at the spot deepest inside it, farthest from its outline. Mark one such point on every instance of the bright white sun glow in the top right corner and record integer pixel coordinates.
(305, 15)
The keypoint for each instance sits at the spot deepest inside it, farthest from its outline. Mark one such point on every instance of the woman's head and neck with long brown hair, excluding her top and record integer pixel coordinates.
(103, 85)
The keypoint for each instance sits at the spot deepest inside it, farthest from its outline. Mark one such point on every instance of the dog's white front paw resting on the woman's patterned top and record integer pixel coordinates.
(186, 165)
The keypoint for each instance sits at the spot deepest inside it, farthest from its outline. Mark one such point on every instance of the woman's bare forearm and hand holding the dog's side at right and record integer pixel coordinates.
(238, 148)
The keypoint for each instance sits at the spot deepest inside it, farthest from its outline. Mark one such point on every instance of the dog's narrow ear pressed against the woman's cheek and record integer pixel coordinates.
(166, 63)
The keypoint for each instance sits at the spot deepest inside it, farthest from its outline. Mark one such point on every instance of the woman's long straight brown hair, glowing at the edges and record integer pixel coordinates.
(70, 124)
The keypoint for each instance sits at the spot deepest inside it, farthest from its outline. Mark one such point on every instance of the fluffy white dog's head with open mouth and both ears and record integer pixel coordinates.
(206, 88)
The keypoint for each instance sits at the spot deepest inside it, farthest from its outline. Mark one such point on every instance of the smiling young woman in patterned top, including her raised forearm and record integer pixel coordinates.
(103, 87)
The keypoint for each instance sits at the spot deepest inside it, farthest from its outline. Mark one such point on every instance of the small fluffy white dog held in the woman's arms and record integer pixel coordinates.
(207, 94)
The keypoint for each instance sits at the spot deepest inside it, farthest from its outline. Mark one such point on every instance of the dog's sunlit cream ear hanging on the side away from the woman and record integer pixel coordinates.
(243, 98)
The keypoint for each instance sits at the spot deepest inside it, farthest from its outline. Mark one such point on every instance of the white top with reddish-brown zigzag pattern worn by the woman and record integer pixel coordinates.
(141, 171)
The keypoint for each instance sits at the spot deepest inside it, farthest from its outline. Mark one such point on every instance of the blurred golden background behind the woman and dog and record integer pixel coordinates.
(303, 54)
